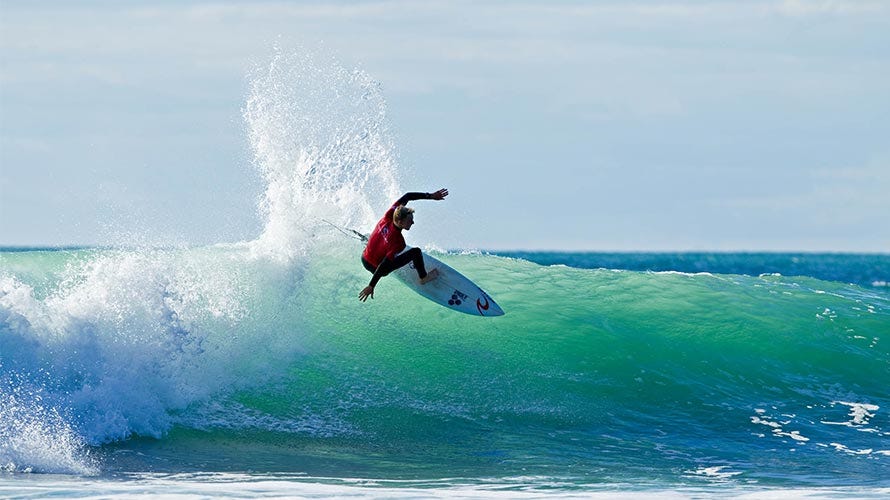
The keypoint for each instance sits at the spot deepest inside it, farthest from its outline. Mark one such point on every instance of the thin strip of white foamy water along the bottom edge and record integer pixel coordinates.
(224, 485)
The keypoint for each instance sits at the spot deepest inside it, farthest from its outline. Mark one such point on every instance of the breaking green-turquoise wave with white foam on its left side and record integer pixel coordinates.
(127, 344)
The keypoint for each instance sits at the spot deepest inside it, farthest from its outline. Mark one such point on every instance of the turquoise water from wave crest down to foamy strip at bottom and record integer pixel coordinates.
(213, 360)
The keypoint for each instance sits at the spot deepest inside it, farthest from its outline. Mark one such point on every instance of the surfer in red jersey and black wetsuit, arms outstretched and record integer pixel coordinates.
(386, 252)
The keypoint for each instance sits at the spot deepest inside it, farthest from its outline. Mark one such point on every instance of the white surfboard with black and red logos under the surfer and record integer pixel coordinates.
(451, 289)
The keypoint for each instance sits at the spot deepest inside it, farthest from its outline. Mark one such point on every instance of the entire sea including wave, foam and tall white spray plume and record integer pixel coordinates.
(250, 369)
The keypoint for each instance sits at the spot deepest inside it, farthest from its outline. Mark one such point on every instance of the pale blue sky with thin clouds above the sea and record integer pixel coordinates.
(755, 125)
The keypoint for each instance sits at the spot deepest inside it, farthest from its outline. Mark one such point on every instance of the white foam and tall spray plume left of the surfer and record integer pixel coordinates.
(125, 341)
